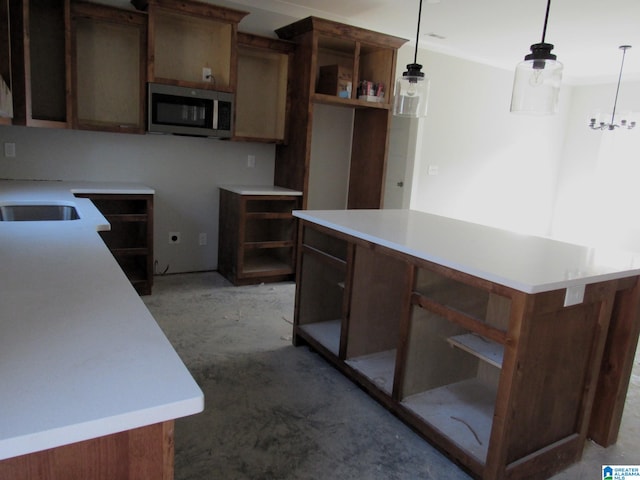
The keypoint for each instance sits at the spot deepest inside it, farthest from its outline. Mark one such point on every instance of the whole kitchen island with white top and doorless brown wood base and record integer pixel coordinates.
(506, 351)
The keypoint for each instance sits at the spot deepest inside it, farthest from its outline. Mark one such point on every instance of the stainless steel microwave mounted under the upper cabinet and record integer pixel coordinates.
(189, 111)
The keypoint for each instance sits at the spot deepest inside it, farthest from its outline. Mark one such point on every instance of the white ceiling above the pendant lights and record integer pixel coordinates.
(586, 33)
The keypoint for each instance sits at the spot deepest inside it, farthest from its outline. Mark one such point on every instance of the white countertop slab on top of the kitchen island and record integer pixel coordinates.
(527, 263)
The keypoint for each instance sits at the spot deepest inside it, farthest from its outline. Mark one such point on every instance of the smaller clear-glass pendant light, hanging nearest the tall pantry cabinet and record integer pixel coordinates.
(412, 89)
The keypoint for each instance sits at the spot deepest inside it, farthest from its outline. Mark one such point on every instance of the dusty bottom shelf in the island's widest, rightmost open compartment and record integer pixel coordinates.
(461, 411)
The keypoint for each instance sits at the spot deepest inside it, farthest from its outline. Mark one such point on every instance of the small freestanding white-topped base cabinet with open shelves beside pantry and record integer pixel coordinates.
(257, 234)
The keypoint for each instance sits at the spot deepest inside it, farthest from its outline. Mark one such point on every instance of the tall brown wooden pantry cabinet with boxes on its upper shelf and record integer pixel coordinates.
(347, 72)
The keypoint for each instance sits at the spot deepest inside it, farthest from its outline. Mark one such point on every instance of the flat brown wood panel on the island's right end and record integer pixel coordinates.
(554, 378)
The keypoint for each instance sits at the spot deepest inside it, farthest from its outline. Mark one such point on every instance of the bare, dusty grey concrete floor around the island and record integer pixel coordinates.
(274, 411)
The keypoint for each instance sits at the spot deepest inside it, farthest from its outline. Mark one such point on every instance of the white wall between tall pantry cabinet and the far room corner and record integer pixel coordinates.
(494, 167)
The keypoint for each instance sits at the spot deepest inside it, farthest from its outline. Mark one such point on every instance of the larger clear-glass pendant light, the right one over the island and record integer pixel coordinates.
(536, 85)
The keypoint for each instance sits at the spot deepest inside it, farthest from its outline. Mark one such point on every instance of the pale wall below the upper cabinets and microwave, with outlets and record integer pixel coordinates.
(184, 171)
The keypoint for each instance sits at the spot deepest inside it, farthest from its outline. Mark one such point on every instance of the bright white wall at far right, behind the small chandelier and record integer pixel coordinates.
(598, 190)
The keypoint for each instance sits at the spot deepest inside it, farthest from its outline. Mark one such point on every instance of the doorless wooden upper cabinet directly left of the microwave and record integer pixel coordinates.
(107, 68)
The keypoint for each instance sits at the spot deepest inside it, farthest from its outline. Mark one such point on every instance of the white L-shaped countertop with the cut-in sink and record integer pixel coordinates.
(80, 355)
